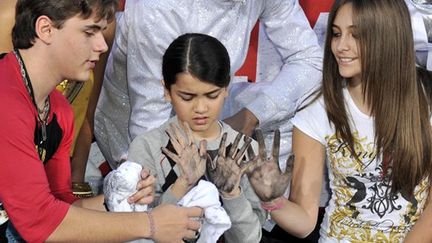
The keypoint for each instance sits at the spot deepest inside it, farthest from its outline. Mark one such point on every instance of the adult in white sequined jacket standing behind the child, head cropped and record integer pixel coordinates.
(131, 101)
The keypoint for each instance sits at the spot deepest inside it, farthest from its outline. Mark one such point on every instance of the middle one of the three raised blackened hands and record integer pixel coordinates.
(226, 171)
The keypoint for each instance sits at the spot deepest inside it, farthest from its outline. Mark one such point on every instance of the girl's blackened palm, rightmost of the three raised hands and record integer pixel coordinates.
(268, 181)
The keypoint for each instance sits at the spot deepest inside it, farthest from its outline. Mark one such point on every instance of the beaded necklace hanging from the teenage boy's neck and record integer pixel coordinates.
(43, 114)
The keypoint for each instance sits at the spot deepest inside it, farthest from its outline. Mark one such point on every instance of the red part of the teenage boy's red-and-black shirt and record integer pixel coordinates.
(36, 196)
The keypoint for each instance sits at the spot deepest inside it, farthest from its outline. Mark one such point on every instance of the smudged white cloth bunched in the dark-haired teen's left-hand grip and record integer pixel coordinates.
(120, 184)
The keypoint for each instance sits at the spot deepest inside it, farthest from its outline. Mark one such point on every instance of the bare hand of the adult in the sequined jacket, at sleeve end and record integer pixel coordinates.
(243, 121)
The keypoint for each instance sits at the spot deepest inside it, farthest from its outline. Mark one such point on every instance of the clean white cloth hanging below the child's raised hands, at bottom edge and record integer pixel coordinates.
(216, 220)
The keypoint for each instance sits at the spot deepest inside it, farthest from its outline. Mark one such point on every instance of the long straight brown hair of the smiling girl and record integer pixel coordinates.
(391, 89)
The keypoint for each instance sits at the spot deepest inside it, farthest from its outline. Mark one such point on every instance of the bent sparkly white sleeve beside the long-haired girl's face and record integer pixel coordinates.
(288, 29)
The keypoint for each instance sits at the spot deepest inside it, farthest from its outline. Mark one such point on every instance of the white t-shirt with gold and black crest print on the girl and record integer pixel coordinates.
(362, 207)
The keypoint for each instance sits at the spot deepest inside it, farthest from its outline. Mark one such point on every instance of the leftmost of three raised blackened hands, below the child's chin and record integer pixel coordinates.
(192, 162)
